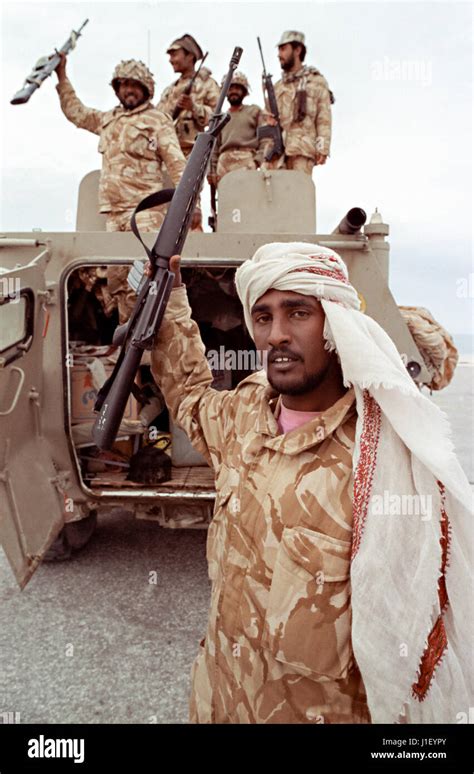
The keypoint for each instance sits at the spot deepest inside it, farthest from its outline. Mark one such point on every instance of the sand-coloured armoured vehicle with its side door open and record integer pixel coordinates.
(55, 351)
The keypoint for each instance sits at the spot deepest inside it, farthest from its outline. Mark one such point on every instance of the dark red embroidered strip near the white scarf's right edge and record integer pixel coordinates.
(437, 638)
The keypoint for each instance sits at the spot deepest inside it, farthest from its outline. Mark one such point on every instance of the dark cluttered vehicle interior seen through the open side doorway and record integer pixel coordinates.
(150, 450)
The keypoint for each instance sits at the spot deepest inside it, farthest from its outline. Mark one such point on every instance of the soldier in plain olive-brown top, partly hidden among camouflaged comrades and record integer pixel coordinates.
(237, 146)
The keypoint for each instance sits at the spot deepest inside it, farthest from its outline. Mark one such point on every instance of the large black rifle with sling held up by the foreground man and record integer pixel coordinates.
(138, 334)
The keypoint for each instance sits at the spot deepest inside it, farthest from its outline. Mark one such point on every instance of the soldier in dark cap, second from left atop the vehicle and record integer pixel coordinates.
(190, 112)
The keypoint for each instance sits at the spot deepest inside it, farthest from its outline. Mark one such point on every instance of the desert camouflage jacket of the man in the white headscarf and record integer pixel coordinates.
(278, 644)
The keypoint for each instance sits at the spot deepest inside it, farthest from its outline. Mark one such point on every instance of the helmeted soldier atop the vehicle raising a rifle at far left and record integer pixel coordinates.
(135, 139)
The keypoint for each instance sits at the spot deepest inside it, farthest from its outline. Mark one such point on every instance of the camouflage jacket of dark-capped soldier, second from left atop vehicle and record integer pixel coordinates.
(189, 123)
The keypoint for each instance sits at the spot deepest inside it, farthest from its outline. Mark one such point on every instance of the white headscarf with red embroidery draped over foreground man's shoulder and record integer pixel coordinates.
(412, 649)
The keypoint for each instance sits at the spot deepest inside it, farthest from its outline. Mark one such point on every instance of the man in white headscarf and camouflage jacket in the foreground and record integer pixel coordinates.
(339, 500)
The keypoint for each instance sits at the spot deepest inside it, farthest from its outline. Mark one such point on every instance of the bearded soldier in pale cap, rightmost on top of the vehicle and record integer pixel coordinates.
(304, 103)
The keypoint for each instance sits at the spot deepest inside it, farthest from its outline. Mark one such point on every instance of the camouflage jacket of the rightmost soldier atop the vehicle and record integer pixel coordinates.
(312, 135)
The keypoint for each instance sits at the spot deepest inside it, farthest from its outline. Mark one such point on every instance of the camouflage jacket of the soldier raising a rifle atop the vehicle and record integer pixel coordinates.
(134, 143)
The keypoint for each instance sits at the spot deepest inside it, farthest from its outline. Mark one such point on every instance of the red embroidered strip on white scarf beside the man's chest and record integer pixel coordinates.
(364, 474)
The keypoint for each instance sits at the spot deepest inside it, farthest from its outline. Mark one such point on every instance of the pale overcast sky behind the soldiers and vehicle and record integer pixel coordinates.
(402, 140)
